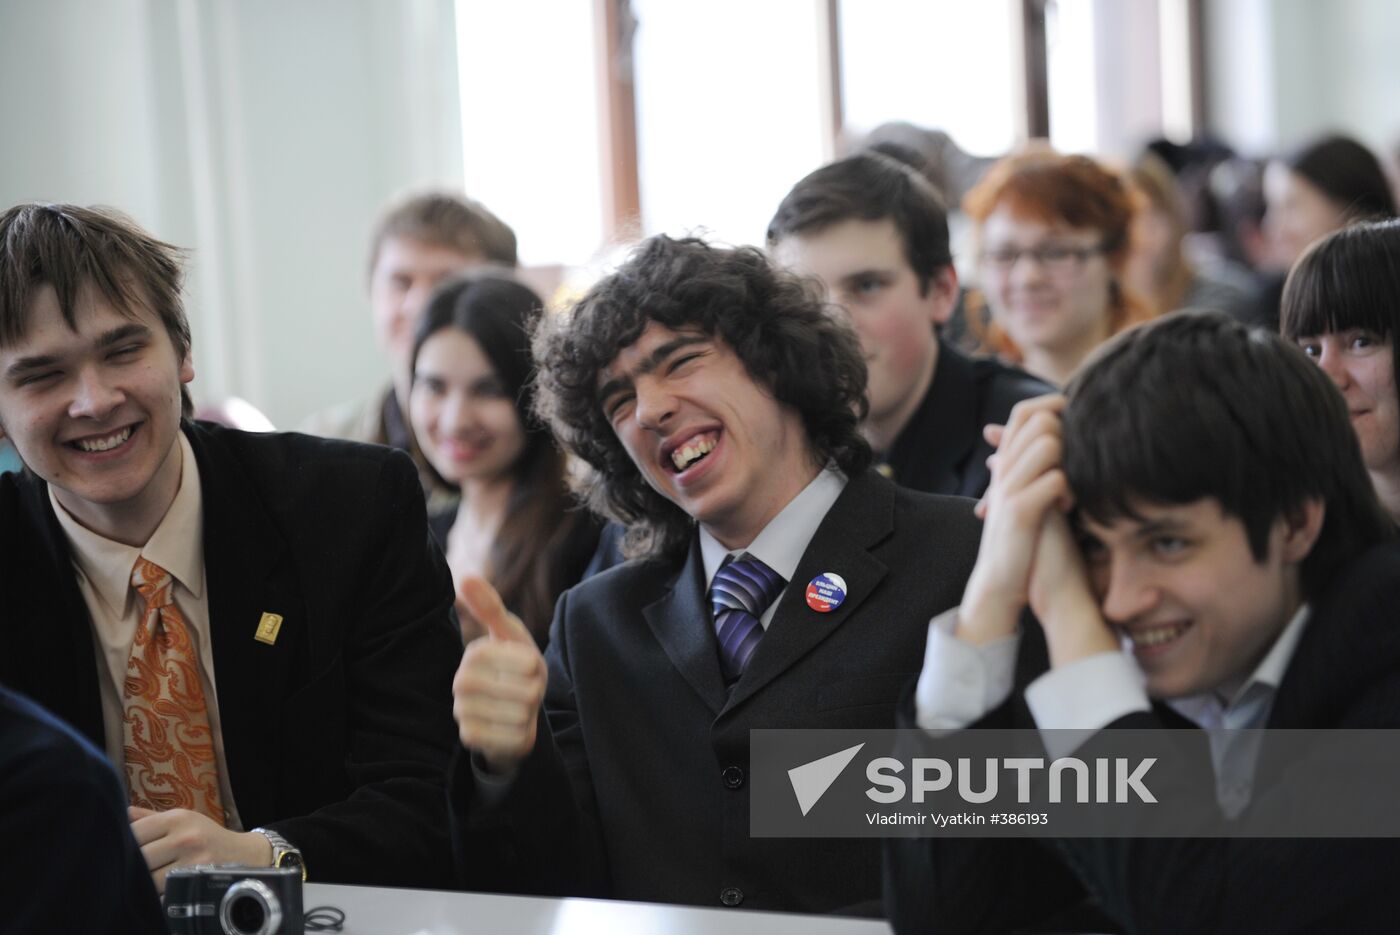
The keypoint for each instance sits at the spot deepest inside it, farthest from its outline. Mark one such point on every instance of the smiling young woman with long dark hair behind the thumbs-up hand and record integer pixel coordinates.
(471, 404)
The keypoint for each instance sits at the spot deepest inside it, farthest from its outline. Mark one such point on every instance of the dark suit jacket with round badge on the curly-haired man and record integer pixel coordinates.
(638, 786)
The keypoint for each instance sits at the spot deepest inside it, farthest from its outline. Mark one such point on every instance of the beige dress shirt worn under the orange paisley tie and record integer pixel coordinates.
(104, 572)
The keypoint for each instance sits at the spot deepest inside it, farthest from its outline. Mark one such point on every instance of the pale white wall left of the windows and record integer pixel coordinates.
(265, 136)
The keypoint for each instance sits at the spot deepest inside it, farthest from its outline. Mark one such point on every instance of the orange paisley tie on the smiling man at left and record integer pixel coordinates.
(170, 748)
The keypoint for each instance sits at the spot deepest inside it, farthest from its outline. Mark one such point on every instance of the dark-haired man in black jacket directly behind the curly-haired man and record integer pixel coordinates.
(876, 234)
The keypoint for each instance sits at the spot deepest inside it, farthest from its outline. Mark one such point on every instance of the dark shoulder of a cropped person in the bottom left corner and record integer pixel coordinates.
(73, 863)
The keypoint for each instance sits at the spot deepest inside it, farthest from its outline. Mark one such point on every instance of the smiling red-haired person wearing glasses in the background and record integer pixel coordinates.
(1053, 233)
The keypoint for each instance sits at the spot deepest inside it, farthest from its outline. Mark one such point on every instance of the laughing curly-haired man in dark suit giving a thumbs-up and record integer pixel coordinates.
(717, 404)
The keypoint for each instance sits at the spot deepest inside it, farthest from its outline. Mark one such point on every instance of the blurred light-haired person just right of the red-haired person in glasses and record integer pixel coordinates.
(1158, 268)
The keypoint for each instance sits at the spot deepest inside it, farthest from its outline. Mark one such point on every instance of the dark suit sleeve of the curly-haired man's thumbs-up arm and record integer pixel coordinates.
(542, 836)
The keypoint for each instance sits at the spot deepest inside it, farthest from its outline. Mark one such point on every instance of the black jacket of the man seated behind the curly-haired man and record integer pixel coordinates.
(941, 450)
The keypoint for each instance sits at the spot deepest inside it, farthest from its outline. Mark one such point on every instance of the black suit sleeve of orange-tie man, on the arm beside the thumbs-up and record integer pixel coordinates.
(400, 653)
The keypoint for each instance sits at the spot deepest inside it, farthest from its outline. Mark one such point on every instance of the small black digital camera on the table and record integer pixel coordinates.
(234, 901)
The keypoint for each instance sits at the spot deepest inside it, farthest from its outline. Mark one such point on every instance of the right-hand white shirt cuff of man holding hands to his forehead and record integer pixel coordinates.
(1072, 703)
